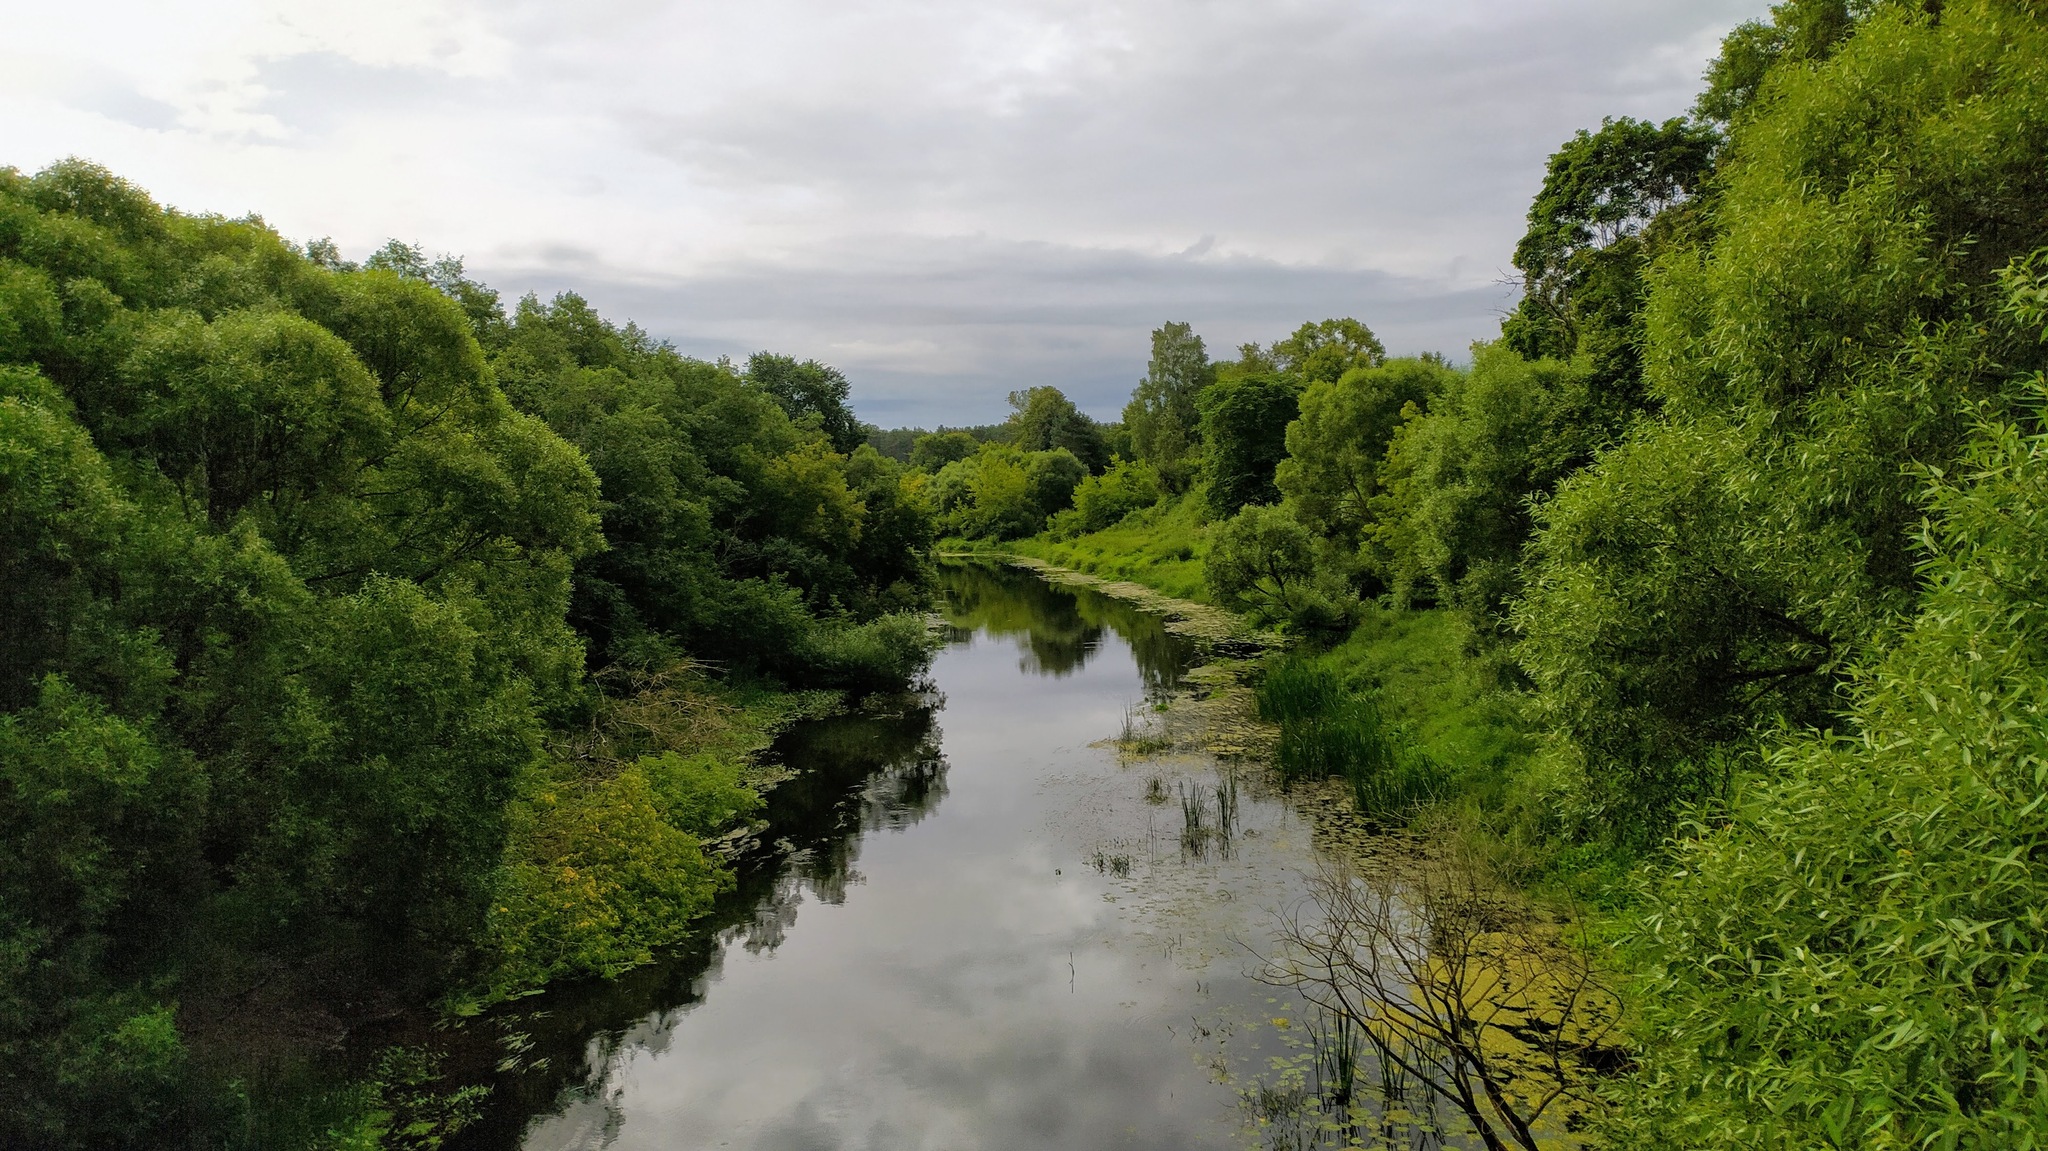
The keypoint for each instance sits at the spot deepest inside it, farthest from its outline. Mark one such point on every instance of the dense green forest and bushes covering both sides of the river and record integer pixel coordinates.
(376, 646)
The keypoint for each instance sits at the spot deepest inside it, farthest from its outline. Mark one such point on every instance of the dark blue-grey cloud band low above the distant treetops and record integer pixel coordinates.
(943, 331)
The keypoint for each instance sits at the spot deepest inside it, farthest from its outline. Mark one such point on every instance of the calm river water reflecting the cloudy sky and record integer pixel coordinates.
(976, 929)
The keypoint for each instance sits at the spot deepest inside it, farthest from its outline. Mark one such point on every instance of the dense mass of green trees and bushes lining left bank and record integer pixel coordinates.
(370, 646)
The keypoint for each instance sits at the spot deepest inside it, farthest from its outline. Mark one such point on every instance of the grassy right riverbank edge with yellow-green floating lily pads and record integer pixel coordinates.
(1525, 974)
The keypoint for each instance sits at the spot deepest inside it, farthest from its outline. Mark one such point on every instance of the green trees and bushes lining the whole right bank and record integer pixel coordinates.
(1748, 513)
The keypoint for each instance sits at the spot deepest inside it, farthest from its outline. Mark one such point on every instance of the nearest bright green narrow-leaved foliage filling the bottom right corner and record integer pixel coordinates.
(1848, 953)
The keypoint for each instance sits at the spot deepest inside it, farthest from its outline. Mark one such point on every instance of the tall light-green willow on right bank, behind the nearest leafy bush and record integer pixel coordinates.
(1807, 364)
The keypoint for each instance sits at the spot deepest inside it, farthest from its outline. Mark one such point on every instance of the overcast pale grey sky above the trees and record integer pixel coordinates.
(947, 202)
